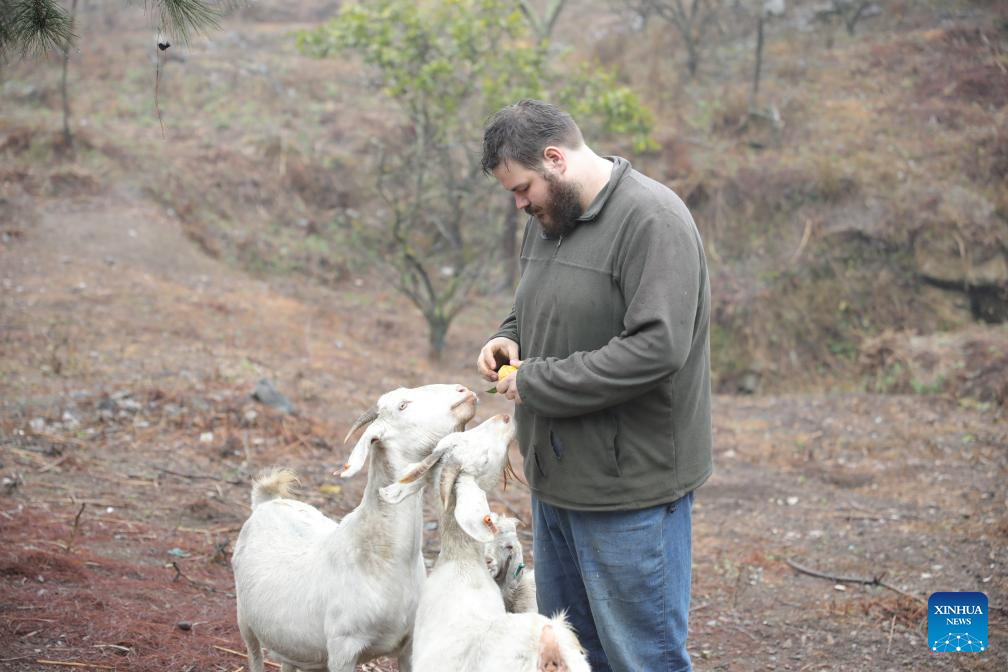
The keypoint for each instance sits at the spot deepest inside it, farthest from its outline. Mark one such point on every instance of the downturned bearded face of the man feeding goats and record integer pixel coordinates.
(555, 202)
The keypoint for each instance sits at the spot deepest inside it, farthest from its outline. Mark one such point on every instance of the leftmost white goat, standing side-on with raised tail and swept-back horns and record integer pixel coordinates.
(322, 595)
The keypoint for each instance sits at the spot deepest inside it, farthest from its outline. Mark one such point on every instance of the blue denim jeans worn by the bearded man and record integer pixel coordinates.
(624, 580)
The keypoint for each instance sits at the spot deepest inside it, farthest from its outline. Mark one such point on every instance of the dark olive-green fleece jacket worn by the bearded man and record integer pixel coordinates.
(612, 324)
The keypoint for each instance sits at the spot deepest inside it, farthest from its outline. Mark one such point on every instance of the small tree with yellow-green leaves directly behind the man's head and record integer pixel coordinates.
(448, 65)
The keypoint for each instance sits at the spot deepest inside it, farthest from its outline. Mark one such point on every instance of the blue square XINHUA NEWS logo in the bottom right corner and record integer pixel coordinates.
(957, 622)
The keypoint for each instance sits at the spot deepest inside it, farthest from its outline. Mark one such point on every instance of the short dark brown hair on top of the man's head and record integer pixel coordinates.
(522, 131)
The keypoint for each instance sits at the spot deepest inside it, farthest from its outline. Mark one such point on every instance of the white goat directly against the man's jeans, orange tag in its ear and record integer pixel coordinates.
(461, 622)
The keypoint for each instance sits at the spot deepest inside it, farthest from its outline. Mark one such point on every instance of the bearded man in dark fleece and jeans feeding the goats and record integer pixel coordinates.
(612, 395)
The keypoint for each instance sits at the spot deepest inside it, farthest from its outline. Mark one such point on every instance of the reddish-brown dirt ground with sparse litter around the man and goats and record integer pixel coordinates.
(128, 440)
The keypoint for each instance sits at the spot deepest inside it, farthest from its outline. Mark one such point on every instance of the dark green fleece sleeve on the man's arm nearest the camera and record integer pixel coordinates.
(659, 267)
